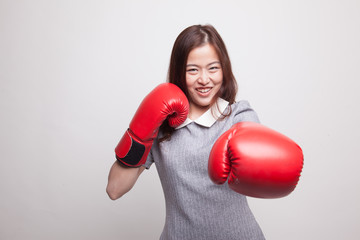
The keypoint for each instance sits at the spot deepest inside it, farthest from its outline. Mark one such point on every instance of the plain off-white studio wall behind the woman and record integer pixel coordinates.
(73, 73)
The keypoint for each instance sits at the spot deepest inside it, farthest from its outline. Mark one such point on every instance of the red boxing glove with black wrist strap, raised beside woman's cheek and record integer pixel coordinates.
(165, 101)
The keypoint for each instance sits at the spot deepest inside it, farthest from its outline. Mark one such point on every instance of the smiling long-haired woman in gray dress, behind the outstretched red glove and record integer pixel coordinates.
(196, 208)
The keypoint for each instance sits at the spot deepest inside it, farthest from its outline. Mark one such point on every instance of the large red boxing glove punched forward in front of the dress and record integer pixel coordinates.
(257, 161)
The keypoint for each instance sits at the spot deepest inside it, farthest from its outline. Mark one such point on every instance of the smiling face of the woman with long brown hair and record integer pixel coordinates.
(204, 78)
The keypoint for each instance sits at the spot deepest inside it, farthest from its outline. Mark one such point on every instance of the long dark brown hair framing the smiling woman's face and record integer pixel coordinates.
(190, 38)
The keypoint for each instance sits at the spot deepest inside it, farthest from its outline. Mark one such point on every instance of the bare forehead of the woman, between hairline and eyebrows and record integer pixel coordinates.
(204, 53)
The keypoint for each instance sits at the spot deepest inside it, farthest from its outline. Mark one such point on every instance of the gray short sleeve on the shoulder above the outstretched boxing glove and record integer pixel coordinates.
(243, 112)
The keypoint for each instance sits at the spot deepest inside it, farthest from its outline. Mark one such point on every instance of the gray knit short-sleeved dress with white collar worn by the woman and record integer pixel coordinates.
(196, 208)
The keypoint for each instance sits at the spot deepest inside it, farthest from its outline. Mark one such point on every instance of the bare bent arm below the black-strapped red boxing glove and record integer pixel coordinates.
(121, 180)
